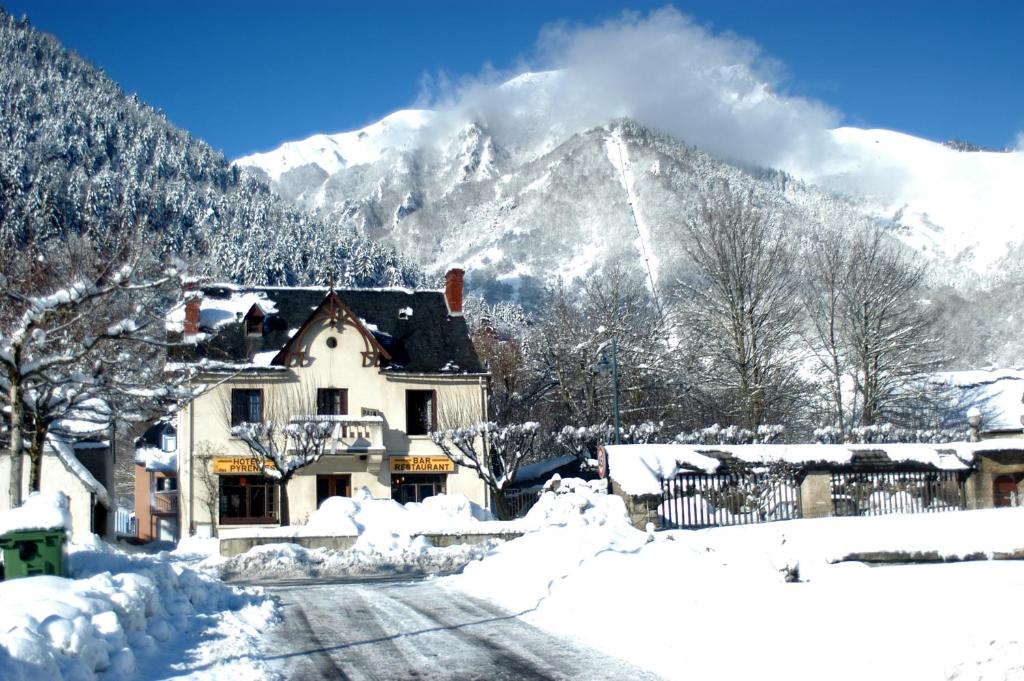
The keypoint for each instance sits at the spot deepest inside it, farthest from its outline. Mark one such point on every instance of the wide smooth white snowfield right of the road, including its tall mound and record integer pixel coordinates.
(723, 604)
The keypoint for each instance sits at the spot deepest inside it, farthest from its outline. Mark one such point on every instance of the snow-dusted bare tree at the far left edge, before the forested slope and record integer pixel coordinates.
(59, 338)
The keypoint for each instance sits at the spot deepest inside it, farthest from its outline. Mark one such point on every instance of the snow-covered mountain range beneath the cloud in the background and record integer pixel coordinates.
(519, 201)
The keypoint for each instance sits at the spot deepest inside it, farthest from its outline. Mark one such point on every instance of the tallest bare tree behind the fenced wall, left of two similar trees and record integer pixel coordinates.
(742, 304)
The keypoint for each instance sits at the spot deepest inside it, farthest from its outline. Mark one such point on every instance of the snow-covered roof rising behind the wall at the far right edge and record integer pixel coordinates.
(996, 393)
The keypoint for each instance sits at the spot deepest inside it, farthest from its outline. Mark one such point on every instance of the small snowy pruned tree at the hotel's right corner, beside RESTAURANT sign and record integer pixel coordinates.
(495, 453)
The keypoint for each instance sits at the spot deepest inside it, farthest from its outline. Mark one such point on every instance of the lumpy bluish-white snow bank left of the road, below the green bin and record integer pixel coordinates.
(129, 617)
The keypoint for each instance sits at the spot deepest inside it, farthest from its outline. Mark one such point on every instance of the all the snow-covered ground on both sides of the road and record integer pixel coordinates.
(774, 601)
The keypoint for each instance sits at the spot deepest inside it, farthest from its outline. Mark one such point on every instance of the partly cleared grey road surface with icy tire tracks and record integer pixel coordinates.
(391, 629)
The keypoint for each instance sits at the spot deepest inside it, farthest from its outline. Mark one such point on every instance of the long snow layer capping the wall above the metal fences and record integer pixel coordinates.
(639, 469)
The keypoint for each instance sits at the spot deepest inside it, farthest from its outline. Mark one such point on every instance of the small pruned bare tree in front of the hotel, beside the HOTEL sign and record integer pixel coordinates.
(290, 437)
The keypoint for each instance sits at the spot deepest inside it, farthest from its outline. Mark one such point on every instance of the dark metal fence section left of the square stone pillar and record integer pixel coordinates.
(696, 500)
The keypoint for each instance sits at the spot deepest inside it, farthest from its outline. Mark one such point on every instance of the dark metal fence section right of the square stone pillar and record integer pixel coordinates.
(881, 493)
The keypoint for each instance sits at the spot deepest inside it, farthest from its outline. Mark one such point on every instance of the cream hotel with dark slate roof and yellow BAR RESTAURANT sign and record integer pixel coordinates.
(377, 364)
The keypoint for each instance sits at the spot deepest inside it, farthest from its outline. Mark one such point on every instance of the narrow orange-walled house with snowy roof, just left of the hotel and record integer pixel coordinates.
(157, 484)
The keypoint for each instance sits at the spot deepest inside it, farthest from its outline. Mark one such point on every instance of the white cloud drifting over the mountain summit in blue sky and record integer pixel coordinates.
(717, 92)
